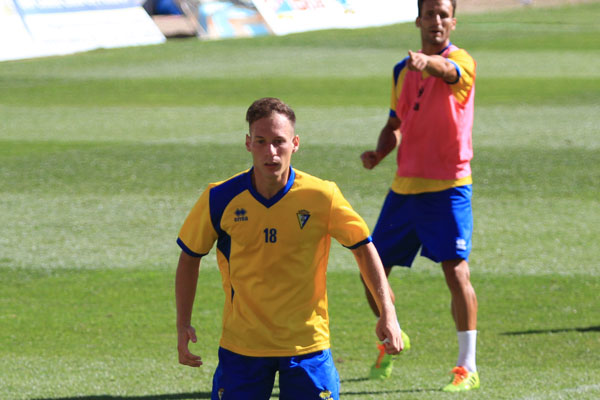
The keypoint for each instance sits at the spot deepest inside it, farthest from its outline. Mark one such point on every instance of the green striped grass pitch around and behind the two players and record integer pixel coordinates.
(102, 155)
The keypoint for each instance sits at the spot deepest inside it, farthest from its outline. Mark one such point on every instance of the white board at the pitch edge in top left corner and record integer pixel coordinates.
(40, 28)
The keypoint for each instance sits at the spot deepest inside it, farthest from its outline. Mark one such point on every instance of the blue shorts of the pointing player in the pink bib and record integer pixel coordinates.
(439, 222)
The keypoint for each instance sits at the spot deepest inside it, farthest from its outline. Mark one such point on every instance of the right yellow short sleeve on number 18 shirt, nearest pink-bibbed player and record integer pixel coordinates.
(346, 225)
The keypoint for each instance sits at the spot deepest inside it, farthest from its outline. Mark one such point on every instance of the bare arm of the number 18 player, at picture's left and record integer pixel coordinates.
(186, 279)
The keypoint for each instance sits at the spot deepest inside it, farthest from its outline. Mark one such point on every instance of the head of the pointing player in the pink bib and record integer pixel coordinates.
(436, 23)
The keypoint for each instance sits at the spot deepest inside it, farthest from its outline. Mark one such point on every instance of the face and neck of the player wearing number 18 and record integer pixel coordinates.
(272, 141)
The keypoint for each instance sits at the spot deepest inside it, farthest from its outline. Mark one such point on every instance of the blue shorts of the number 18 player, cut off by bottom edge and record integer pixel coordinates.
(309, 376)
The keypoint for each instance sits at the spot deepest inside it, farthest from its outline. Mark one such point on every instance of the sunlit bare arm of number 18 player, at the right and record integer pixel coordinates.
(371, 269)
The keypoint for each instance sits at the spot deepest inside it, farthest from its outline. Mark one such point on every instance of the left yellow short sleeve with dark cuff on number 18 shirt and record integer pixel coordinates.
(197, 235)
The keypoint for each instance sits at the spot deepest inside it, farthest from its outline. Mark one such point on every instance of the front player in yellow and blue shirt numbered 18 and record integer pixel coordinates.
(273, 226)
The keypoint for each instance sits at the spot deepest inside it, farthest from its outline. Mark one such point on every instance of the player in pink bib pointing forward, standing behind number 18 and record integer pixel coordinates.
(429, 204)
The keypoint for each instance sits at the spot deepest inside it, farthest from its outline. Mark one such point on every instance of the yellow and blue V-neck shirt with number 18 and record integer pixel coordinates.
(272, 254)
